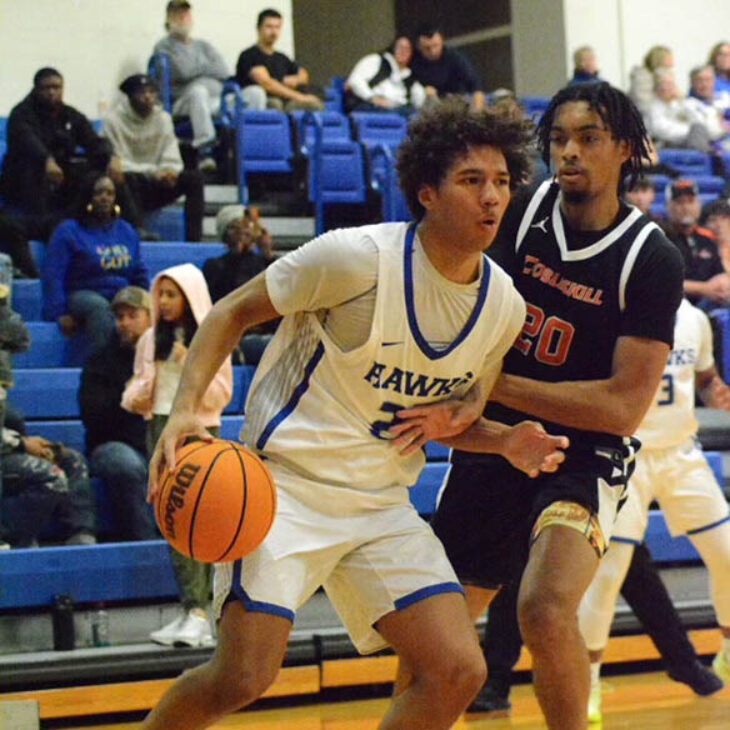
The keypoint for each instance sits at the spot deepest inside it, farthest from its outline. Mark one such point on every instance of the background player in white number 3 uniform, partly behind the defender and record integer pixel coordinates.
(671, 469)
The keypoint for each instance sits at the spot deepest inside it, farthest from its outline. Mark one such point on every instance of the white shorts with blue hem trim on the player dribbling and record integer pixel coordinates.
(371, 551)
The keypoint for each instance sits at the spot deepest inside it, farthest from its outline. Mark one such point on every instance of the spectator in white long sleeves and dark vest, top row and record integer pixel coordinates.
(384, 81)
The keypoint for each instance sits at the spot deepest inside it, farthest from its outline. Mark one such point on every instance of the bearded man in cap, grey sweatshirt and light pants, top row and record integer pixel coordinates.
(197, 72)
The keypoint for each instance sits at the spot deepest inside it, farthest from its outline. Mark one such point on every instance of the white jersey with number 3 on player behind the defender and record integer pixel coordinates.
(671, 418)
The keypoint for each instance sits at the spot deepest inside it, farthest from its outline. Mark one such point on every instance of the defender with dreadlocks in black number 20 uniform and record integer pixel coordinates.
(602, 285)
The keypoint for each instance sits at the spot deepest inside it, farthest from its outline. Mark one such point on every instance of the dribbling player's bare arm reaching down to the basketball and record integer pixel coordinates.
(215, 339)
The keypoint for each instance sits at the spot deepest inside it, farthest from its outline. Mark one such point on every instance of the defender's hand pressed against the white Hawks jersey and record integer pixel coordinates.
(416, 426)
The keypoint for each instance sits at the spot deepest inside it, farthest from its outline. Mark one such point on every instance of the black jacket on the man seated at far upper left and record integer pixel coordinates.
(33, 136)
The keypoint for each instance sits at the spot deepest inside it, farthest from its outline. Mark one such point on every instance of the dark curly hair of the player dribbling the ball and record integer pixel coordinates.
(439, 137)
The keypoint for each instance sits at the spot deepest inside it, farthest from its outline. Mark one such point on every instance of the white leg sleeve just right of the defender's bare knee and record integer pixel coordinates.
(595, 614)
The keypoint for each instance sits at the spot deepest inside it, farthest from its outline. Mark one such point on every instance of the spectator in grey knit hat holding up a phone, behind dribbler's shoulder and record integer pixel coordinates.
(249, 254)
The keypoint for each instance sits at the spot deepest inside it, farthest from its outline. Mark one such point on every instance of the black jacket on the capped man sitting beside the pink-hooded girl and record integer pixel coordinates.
(103, 378)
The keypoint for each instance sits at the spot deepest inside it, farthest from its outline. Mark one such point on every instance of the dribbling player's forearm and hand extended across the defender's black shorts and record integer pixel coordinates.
(526, 445)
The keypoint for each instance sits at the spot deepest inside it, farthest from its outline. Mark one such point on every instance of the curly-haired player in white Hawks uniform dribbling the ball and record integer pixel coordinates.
(375, 319)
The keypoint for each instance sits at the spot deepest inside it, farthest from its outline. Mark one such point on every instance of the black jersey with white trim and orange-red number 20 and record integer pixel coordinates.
(582, 296)
